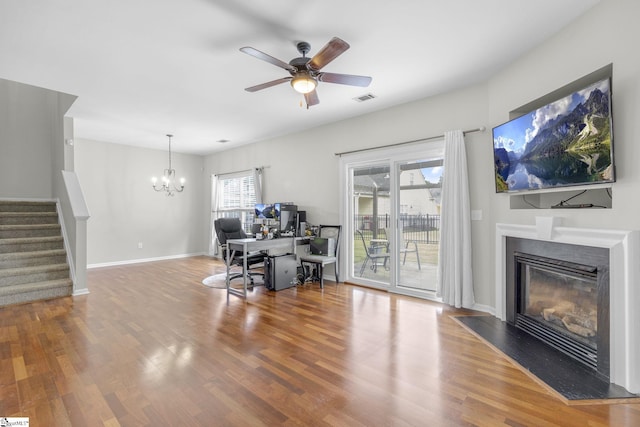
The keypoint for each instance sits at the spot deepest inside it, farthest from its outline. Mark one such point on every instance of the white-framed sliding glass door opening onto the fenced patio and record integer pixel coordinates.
(392, 214)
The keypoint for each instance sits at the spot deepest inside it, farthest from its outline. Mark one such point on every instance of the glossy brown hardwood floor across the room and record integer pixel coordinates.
(151, 346)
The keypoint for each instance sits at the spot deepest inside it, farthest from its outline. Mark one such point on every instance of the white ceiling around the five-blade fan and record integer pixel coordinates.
(145, 68)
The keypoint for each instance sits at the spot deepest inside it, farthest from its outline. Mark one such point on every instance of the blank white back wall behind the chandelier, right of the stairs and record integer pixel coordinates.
(125, 210)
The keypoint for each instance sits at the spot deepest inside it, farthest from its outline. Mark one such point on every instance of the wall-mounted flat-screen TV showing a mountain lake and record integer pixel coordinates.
(568, 142)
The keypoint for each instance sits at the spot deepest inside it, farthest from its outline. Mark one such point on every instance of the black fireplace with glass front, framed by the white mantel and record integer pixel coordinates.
(559, 293)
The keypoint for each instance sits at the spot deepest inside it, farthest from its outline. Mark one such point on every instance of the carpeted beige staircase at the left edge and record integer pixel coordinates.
(33, 261)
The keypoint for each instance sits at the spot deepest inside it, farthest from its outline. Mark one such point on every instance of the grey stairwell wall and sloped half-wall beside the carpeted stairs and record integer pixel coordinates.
(33, 155)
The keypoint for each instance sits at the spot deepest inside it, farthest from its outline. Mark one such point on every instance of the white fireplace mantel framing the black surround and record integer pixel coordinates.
(624, 286)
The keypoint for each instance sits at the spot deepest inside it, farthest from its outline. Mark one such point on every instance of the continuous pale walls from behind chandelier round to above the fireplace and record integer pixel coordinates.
(125, 210)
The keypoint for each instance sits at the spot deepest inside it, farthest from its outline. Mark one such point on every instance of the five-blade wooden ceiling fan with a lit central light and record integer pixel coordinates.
(305, 72)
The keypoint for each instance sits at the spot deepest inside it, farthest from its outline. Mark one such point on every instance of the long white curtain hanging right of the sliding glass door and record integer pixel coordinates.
(455, 280)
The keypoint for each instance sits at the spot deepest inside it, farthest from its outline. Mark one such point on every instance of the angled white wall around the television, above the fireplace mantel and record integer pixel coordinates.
(606, 34)
